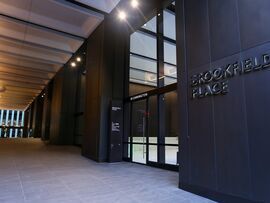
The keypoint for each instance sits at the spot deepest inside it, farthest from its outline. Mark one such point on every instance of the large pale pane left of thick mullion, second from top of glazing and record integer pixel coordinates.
(143, 44)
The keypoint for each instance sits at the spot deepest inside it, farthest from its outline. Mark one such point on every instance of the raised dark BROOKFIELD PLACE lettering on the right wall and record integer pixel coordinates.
(215, 82)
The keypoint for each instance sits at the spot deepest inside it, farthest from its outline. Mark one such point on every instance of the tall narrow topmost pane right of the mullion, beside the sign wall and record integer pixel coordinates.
(169, 24)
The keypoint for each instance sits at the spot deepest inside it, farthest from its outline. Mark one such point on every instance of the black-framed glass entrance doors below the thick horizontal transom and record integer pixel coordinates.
(151, 130)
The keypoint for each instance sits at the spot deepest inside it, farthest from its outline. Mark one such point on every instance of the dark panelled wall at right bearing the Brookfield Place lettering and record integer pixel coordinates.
(225, 138)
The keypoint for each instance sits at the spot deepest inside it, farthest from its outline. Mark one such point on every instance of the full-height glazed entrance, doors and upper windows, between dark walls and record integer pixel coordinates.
(151, 104)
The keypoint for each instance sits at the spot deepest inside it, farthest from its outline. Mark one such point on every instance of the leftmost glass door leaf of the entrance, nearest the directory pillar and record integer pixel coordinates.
(139, 131)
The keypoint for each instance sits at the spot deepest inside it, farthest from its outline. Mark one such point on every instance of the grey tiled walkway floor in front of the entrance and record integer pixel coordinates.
(31, 171)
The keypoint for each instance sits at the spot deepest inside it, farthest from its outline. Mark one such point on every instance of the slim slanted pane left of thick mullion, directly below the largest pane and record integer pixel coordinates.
(143, 63)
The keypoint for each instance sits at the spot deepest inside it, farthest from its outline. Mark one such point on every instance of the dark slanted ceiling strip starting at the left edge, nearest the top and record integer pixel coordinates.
(44, 27)
